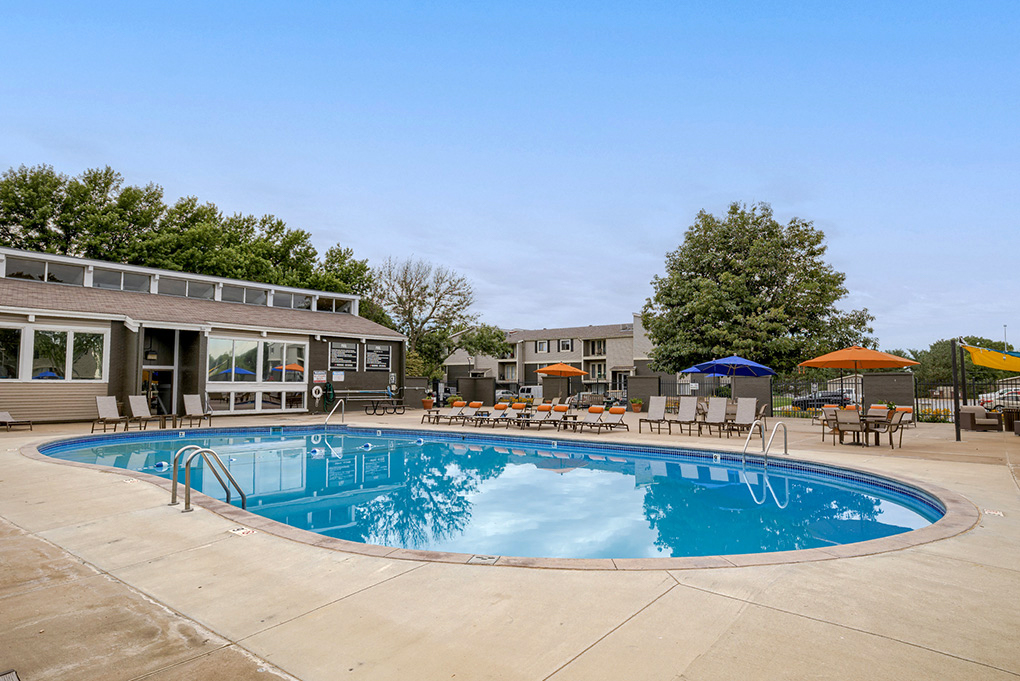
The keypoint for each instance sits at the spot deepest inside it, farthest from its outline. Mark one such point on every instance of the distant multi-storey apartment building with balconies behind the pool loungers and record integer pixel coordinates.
(609, 353)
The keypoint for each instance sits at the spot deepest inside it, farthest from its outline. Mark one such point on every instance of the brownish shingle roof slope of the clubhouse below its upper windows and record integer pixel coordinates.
(151, 308)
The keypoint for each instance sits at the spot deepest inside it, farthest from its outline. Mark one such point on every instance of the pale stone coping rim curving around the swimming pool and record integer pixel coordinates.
(961, 515)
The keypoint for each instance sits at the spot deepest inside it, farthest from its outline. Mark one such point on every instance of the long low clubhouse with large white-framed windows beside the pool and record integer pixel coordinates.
(73, 330)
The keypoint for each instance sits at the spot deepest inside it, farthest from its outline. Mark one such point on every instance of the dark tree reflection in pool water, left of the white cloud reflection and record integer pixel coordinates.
(433, 504)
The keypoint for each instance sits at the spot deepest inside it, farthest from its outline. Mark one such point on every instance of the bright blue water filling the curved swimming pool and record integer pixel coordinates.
(505, 497)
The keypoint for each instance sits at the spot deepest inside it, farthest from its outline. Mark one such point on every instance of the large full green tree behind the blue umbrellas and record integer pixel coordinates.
(746, 285)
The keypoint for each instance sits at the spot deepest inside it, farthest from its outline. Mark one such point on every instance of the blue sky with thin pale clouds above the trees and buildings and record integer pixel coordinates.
(554, 152)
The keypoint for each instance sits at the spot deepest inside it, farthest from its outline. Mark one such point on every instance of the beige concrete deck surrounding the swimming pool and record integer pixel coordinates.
(100, 580)
